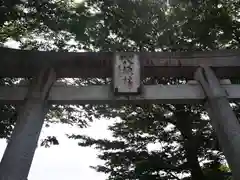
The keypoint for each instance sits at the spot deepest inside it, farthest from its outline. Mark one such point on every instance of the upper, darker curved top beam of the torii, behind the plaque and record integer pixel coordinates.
(26, 63)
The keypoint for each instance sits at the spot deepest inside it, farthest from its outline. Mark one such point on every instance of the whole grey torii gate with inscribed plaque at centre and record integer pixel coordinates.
(202, 68)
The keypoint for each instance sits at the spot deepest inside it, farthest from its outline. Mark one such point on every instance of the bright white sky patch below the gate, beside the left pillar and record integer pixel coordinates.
(67, 160)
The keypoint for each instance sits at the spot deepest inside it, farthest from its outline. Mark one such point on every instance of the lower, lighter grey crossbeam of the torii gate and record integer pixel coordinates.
(161, 94)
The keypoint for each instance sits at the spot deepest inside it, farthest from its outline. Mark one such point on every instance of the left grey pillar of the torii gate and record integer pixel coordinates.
(18, 156)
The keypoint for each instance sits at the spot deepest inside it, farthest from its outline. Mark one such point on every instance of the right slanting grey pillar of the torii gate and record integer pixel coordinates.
(223, 119)
